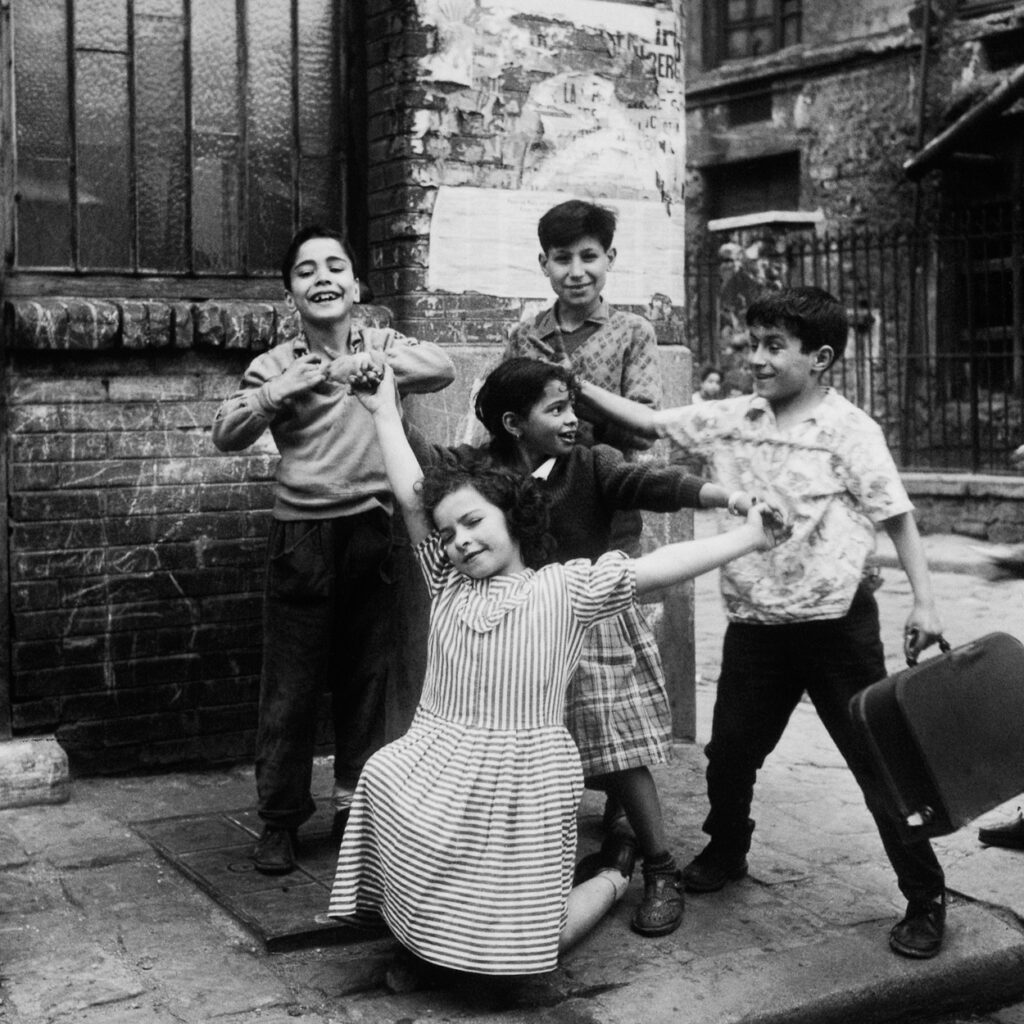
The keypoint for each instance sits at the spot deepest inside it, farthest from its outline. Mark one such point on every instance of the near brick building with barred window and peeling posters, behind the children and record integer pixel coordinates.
(140, 233)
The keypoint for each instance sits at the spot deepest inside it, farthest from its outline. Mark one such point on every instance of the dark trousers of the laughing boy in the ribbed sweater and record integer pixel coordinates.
(327, 628)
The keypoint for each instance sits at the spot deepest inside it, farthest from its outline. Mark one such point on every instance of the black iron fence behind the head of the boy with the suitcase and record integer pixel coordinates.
(935, 350)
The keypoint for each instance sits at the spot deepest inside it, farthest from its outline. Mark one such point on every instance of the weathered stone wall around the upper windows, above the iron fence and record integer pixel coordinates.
(847, 101)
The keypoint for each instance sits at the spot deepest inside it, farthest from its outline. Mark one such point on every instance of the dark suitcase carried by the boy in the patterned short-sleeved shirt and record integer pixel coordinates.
(947, 737)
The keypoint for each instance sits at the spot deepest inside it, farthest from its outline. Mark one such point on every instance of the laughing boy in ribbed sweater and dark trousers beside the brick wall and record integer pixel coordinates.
(328, 604)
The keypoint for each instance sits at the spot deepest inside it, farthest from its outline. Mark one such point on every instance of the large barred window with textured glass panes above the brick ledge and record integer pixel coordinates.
(176, 138)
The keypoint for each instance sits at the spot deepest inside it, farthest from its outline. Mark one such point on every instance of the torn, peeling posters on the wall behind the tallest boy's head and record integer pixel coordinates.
(563, 99)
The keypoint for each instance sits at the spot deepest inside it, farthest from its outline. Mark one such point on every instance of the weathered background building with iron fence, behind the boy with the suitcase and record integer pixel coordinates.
(877, 150)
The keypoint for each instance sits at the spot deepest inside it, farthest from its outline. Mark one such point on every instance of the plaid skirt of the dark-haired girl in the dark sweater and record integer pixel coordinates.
(618, 707)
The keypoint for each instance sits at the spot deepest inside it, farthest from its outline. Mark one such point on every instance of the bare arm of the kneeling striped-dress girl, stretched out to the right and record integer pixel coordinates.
(676, 563)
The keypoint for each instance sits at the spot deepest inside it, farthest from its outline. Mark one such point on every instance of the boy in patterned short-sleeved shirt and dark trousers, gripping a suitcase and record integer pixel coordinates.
(802, 618)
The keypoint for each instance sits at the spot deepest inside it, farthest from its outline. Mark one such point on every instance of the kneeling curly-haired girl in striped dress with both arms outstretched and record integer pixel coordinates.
(462, 834)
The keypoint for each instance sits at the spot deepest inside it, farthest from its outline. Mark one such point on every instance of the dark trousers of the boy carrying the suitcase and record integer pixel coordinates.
(765, 672)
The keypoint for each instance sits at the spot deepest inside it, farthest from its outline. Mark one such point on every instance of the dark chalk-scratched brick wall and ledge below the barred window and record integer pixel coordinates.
(136, 548)
